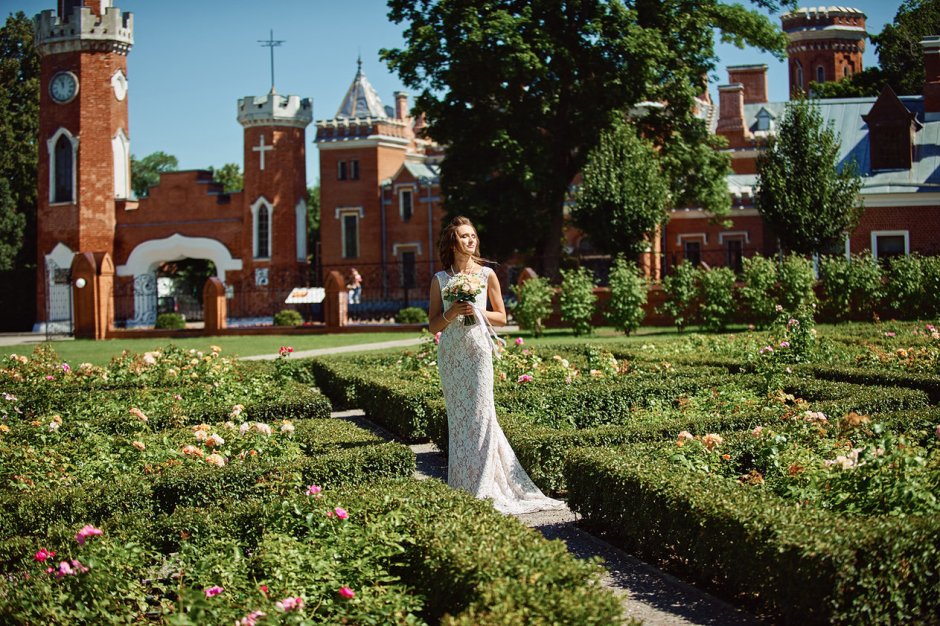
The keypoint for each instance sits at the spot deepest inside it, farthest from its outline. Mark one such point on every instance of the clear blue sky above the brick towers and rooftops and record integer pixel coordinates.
(193, 60)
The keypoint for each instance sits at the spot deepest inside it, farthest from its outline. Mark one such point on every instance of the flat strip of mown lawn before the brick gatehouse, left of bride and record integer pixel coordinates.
(100, 352)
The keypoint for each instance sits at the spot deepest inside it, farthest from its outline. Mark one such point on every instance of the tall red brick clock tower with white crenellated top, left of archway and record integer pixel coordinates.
(84, 148)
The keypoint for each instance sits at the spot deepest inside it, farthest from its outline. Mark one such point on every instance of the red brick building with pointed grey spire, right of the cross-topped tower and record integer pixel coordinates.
(379, 196)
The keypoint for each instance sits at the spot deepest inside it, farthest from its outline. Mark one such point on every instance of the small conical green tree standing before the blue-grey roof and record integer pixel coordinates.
(804, 193)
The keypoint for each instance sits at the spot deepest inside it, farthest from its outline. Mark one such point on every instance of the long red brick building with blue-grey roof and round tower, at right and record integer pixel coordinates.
(893, 139)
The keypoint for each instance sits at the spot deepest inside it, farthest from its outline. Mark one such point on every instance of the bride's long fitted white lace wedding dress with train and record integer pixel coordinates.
(480, 459)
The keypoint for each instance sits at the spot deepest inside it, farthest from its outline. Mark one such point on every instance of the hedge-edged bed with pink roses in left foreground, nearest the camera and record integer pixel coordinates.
(399, 552)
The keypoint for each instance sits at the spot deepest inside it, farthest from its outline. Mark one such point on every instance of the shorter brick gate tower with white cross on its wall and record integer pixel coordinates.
(275, 220)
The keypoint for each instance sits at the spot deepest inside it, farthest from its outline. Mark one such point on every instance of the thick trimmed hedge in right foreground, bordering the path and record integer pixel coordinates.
(801, 565)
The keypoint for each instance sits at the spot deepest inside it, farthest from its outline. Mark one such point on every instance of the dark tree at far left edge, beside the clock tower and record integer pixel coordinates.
(19, 132)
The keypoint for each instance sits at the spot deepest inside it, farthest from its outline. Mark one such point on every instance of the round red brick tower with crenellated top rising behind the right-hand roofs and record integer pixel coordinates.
(826, 44)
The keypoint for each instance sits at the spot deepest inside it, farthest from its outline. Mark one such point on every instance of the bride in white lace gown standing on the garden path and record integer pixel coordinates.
(480, 459)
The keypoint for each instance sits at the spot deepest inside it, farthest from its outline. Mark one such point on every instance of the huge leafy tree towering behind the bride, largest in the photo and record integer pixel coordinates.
(518, 93)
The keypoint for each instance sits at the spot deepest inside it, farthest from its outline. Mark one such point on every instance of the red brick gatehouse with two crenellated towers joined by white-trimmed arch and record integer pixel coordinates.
(256, 238)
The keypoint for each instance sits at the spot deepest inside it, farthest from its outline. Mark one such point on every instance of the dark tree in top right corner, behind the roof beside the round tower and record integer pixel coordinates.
(900, 55)
